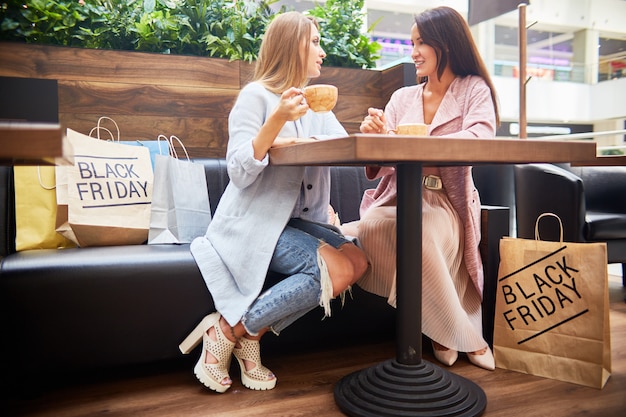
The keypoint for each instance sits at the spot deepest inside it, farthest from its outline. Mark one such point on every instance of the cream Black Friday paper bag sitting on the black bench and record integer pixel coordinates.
(109, 192)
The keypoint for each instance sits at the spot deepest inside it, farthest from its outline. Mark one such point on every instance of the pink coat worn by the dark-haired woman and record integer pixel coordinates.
(466, 111)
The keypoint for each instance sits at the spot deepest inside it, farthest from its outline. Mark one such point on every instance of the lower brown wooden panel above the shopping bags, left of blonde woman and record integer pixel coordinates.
(198, 116)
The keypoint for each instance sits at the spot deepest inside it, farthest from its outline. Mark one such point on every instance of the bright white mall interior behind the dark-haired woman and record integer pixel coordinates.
(576, 60)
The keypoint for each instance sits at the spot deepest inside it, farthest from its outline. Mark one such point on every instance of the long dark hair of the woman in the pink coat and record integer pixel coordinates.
(444, 29)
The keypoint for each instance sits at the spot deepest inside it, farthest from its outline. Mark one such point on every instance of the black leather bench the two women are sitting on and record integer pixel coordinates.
(97, 307)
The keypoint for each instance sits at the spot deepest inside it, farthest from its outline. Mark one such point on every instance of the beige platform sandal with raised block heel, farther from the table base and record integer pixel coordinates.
(210, 375)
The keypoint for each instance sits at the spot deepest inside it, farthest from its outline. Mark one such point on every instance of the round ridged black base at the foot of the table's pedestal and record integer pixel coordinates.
(394, 389)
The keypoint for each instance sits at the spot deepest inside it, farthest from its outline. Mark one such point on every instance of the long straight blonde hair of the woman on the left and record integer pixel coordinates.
(280, 64)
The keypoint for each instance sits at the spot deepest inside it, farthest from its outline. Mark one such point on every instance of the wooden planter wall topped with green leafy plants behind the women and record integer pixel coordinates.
(174, 66)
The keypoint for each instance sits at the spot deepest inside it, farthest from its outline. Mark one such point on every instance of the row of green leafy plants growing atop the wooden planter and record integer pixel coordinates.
(230, 29)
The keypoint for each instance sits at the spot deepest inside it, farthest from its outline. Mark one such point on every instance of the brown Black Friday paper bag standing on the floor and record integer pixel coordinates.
(552, 310)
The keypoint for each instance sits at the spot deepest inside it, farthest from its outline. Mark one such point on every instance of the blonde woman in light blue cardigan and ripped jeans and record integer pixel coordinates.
(270, 218)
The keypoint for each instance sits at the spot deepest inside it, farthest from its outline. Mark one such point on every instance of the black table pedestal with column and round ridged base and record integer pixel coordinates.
(408, 385)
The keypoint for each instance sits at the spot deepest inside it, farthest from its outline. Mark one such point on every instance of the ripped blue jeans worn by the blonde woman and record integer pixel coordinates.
(293, 287)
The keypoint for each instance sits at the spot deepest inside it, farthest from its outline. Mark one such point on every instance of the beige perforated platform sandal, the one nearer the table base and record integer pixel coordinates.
(257, 377)
